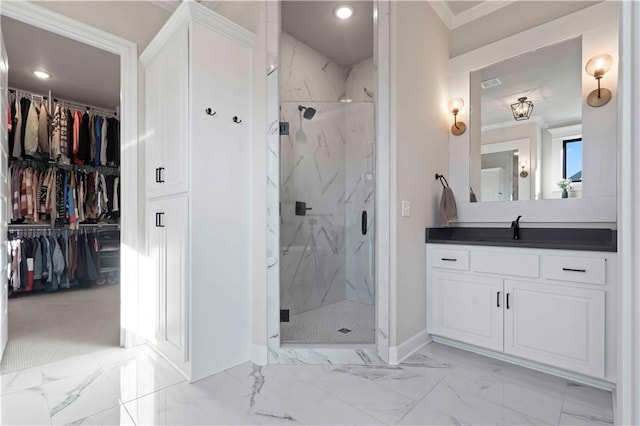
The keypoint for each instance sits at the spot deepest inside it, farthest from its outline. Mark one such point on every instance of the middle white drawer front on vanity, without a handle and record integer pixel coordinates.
(513, 264)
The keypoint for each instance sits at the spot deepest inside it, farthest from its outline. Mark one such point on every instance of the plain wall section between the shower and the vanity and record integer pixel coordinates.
(419, 148)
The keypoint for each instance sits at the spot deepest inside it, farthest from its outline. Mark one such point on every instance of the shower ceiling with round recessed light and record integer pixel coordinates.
(344, 42)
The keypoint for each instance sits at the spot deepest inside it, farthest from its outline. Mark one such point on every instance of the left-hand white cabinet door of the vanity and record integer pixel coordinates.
(468, 308)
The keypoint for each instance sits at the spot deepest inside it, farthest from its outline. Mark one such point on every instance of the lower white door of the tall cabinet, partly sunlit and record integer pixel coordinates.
(167, 229)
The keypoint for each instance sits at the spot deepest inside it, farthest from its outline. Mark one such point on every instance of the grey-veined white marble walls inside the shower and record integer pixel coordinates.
(328, 163)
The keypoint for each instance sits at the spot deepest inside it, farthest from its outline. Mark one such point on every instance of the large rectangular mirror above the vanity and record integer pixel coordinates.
(530, 114)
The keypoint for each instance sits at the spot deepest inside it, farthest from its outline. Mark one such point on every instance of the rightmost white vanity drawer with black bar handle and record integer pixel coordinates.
(589, 270)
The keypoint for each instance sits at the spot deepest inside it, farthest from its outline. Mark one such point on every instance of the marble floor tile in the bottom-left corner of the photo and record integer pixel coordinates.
(25, 407)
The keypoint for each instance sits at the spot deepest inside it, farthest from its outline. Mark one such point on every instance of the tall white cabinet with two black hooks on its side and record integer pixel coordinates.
(197, 122)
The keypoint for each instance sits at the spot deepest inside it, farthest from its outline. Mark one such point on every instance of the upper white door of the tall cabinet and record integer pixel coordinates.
(166, 118)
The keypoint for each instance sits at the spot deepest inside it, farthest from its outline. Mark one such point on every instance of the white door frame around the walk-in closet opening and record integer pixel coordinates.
(128, 51)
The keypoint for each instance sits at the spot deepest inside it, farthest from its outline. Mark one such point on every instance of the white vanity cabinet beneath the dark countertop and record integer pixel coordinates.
(551, 307)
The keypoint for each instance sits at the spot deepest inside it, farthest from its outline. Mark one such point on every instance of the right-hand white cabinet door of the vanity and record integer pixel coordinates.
(556, 325)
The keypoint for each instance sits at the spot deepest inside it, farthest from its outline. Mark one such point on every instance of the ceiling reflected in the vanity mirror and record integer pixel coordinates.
(550, 77)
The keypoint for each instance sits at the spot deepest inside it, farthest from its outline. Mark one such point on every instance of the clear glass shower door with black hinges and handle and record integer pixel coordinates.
(326, 222)
